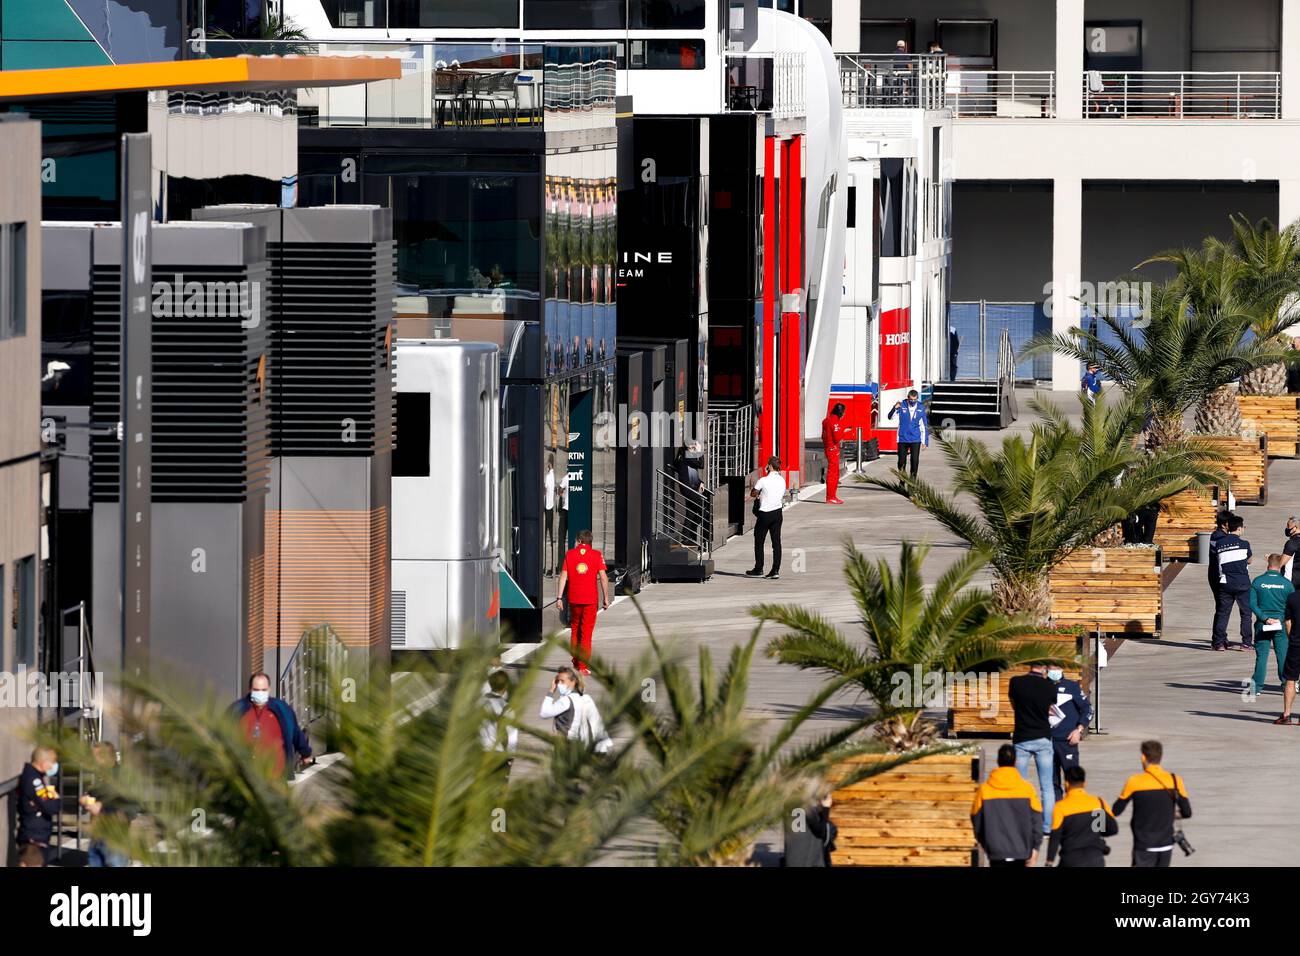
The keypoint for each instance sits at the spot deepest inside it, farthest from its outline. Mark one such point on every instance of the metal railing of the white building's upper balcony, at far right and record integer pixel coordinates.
(1195, 96)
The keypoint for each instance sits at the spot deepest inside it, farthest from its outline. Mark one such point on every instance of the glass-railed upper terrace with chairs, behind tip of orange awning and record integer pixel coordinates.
(449, 85)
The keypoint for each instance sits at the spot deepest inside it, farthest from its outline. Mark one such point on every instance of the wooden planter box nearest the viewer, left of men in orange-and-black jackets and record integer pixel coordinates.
(917, 815)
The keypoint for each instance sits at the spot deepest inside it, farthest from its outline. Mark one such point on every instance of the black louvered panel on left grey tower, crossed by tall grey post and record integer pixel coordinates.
(211, 391)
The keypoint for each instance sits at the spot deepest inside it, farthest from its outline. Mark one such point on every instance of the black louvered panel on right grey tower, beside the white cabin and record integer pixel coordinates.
(333, 377)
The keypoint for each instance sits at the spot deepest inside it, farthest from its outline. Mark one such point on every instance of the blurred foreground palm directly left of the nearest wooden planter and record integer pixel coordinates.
(736, 782)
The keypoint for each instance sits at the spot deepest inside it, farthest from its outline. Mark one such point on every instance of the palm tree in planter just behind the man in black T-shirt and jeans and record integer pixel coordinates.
(956, 630)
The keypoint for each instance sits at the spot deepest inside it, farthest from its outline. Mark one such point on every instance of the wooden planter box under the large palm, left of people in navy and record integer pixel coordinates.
(1117, 590)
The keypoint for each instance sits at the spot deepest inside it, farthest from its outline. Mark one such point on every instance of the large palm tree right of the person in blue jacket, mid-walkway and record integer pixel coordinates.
(1038, 500)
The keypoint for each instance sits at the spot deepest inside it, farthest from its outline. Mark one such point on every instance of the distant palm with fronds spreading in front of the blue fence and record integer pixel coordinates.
(1175, 360)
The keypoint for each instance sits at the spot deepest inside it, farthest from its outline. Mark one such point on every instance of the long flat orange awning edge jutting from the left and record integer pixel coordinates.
(222, 73)
